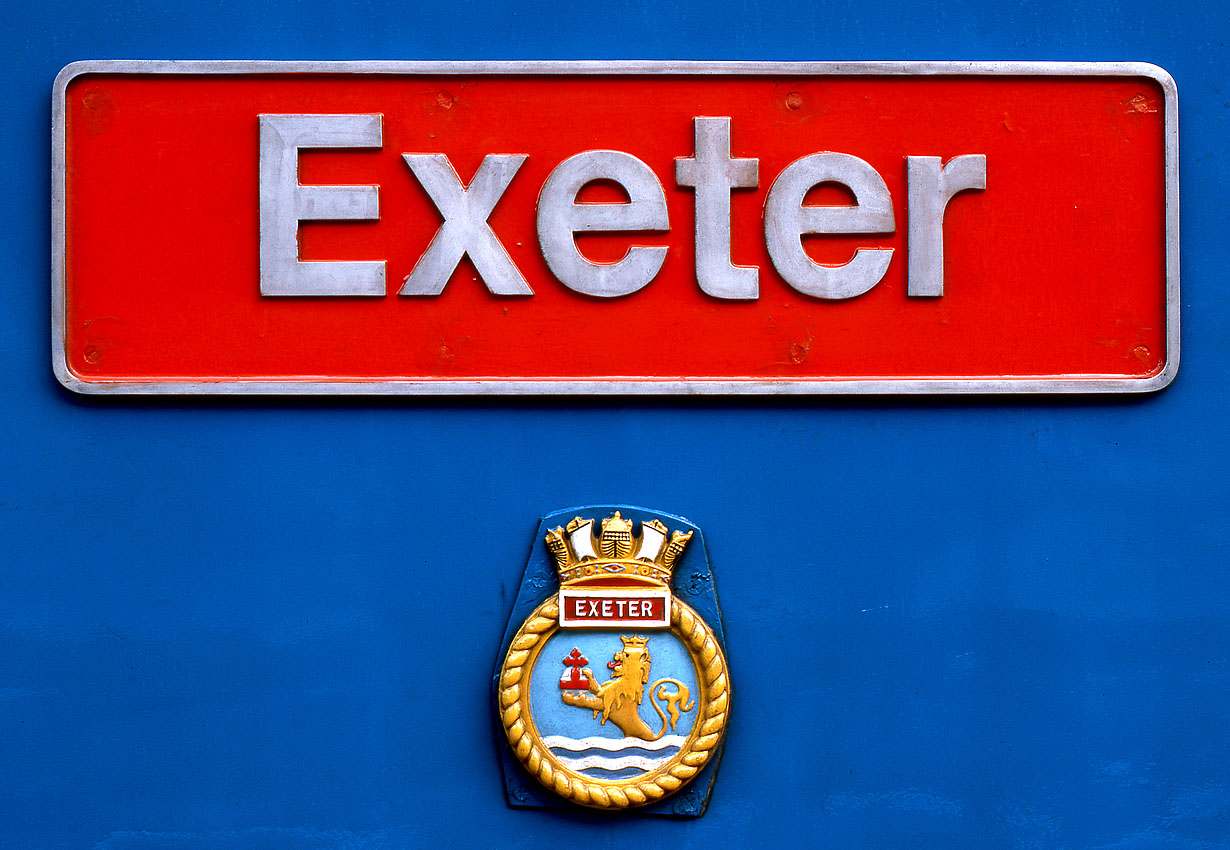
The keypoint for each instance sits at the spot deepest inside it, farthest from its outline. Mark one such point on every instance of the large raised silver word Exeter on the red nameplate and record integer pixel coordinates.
(712, 172)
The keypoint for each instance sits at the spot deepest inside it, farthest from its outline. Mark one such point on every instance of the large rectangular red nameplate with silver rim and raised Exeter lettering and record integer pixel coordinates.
(614, 228)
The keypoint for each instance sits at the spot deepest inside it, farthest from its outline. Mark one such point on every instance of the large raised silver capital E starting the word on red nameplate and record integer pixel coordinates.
(285, 204)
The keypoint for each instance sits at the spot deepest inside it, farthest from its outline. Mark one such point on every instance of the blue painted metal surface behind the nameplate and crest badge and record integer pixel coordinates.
(271, 624)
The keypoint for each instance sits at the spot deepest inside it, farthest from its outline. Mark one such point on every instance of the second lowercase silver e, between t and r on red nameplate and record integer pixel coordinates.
(788, 220)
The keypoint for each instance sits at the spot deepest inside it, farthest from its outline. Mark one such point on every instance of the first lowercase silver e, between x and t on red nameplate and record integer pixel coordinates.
(560, 217)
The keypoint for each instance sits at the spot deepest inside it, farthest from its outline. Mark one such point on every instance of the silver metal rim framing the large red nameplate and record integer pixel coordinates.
(618, 386)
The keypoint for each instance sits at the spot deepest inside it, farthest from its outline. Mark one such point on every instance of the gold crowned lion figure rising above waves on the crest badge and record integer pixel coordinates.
(619, 701)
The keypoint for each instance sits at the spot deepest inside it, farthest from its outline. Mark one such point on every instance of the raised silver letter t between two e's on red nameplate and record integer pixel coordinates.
(714, 174)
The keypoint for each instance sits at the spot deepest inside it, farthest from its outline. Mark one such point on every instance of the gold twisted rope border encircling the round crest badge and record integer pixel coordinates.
(699, 638)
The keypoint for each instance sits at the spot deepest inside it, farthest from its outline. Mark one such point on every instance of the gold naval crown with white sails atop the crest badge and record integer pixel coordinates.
(614, 554)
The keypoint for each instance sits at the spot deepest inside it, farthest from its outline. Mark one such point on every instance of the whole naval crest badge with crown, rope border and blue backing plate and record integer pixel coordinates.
(614, 693)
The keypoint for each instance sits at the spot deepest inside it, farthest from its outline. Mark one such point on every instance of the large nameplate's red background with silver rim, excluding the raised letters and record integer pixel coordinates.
(1061, 276)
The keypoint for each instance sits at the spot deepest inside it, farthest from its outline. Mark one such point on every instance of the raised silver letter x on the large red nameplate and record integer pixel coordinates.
(466, 229)
